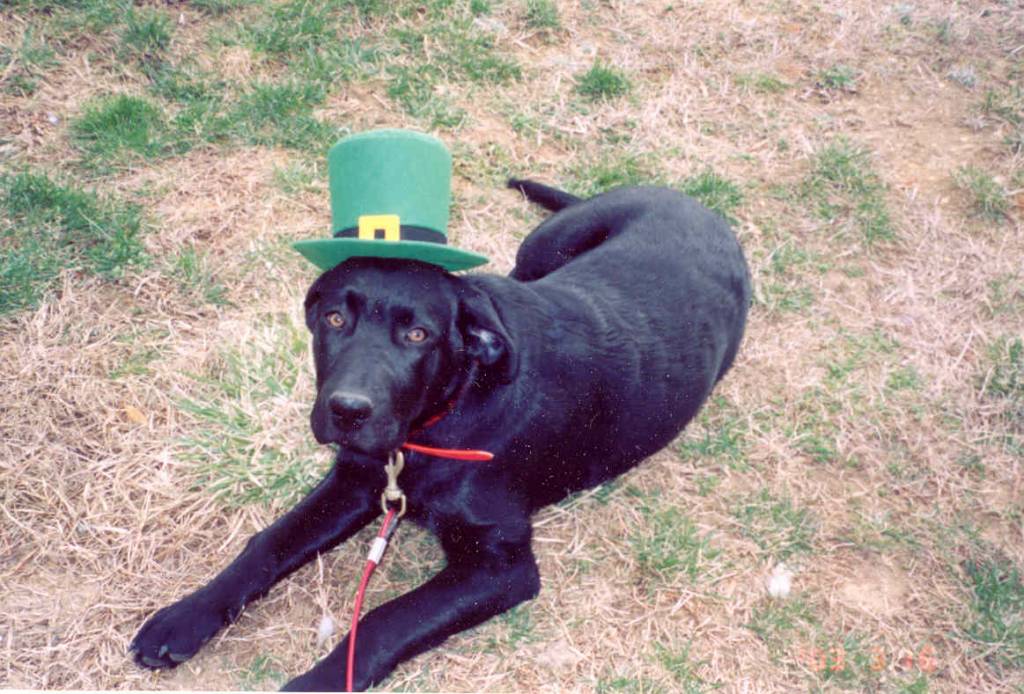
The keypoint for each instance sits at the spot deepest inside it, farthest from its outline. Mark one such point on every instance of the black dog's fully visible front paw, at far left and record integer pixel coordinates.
(177, 633)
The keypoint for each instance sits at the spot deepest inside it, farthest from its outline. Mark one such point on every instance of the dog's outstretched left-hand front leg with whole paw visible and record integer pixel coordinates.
(346, 501)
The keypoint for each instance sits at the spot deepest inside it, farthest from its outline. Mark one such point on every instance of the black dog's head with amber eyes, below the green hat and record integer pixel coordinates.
(394, 341)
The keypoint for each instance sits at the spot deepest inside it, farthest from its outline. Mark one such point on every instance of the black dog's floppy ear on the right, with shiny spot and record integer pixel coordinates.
(484, 333)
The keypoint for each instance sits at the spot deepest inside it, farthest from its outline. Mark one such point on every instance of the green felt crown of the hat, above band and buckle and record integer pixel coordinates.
(391, 172)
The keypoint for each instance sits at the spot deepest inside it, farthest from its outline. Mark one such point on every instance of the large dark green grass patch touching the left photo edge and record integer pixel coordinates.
(47, 228)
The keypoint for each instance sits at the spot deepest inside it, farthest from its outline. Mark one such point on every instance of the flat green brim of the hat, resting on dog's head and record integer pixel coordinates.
(328, 253)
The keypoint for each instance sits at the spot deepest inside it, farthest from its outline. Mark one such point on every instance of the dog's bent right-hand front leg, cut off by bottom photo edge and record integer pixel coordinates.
(462, 596)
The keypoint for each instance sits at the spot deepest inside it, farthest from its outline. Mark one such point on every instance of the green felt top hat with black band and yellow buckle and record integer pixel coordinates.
(390, 199)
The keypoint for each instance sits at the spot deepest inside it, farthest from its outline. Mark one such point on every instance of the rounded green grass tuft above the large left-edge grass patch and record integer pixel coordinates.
(119, 129)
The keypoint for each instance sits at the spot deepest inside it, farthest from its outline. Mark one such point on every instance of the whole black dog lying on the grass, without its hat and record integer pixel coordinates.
(622, 314)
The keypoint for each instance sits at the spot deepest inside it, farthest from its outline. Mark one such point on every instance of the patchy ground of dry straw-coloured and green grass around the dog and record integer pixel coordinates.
(157, 160)
